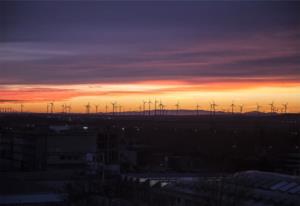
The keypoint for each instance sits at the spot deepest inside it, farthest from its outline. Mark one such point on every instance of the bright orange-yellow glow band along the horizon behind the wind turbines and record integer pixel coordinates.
(130, 95)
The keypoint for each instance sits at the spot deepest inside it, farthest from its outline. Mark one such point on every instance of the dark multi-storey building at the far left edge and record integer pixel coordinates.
(22, 149)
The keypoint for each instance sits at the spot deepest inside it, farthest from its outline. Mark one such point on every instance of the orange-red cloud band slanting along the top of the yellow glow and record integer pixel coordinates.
(19, 93)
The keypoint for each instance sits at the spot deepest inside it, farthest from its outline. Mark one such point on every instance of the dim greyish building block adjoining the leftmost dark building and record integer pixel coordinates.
(72, 148)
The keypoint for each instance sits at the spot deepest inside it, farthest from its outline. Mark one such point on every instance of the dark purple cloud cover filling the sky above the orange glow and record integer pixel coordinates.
(97, 42)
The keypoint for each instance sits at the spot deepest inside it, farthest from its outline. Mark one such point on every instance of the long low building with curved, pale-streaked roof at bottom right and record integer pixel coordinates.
(250, 188)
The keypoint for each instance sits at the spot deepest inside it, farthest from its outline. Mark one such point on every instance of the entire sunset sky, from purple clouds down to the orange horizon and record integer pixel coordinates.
(191, 52)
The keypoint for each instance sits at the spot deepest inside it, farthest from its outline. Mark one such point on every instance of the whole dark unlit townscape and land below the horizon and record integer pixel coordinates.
(71, 159)
